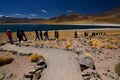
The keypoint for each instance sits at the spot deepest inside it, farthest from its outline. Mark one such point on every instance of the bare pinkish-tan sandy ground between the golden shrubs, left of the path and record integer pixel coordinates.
(19, 66)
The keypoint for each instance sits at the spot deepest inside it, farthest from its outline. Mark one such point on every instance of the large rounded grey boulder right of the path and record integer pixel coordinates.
(86, 62)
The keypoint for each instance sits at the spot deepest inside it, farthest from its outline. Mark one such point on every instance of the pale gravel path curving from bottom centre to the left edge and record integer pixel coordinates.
(62, 64)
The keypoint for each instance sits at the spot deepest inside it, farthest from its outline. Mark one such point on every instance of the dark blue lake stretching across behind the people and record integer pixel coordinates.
(33, 27)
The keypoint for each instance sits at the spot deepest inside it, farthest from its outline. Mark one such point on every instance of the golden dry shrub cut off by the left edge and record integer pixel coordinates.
(6, 59)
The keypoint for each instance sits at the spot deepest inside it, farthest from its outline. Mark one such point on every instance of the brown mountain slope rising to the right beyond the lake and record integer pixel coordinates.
(112, 16)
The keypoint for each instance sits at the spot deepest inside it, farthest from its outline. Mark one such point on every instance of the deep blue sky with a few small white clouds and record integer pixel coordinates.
(52, 8)
